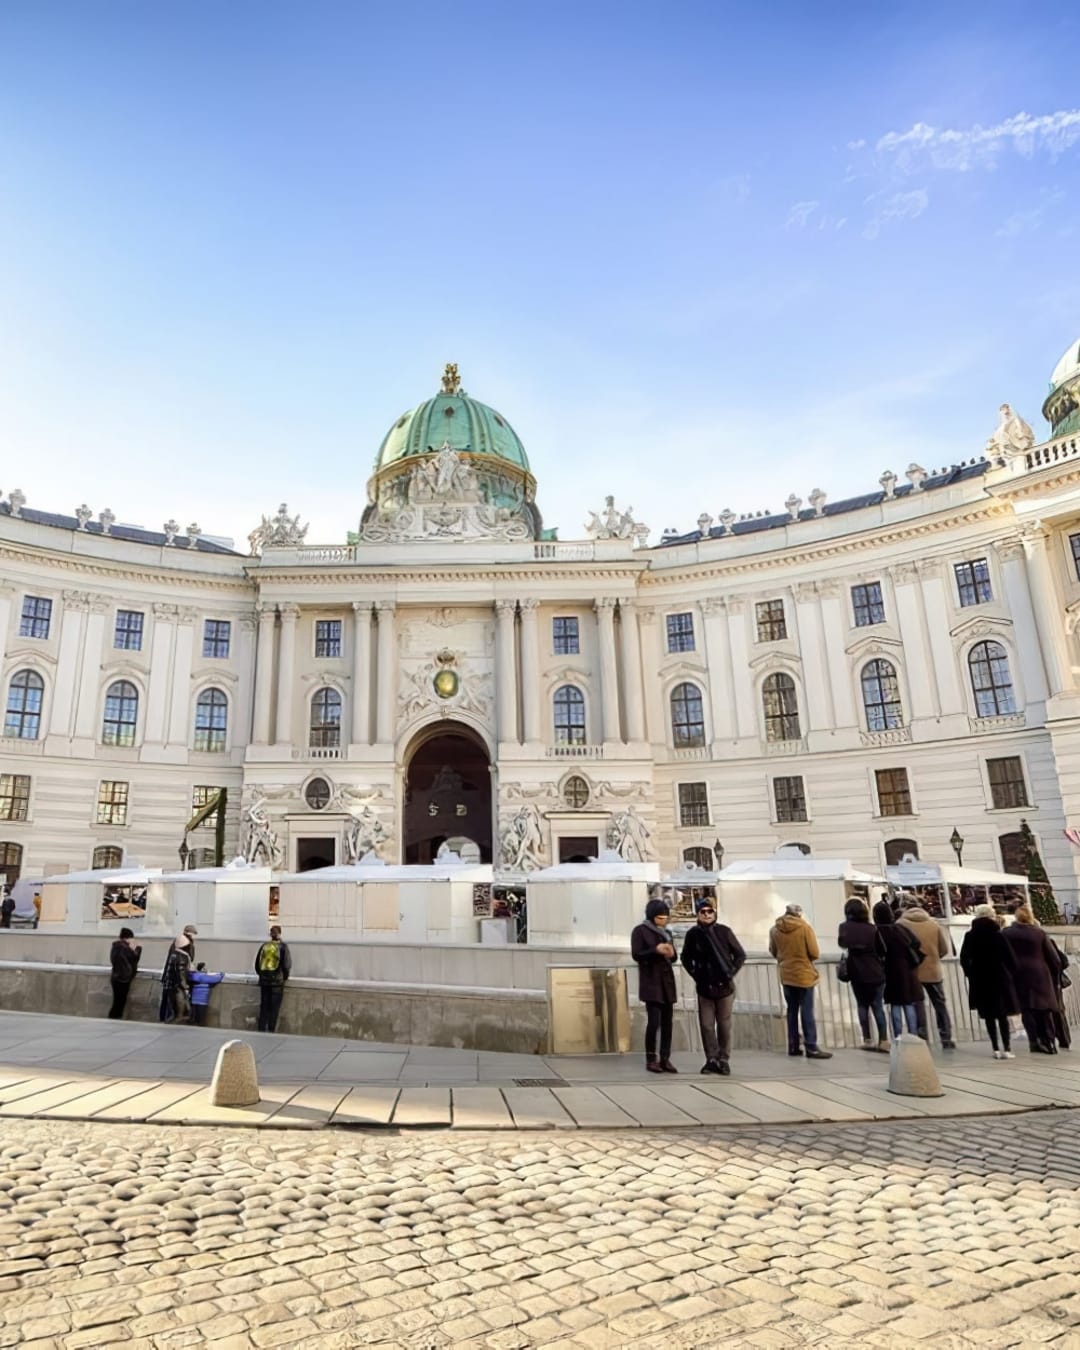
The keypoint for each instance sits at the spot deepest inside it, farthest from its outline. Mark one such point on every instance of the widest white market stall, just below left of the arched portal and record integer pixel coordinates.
(375, 901)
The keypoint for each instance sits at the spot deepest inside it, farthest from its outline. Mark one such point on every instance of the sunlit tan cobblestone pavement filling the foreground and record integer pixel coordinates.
(965, 1233)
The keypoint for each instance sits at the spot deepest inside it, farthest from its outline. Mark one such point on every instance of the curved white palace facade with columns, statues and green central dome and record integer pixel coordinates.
(862, 677)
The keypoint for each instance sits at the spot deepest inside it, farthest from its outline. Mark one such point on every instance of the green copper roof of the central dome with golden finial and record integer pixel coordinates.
(452, 418)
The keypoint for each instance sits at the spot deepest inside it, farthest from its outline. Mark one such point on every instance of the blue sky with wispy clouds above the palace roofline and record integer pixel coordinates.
(700, 254)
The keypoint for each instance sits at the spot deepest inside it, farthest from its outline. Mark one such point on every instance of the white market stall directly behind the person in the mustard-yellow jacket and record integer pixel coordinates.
(753, 894)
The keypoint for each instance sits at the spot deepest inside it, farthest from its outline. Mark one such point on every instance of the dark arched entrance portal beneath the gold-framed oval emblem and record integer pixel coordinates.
(448, 794)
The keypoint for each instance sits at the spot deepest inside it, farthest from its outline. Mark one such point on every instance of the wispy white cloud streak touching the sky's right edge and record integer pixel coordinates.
(981, 148)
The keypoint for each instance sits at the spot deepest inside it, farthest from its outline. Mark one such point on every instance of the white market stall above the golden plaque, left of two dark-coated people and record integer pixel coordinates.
(593, 904)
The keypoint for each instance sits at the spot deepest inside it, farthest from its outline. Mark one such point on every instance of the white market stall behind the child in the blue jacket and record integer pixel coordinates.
(232, 901)
